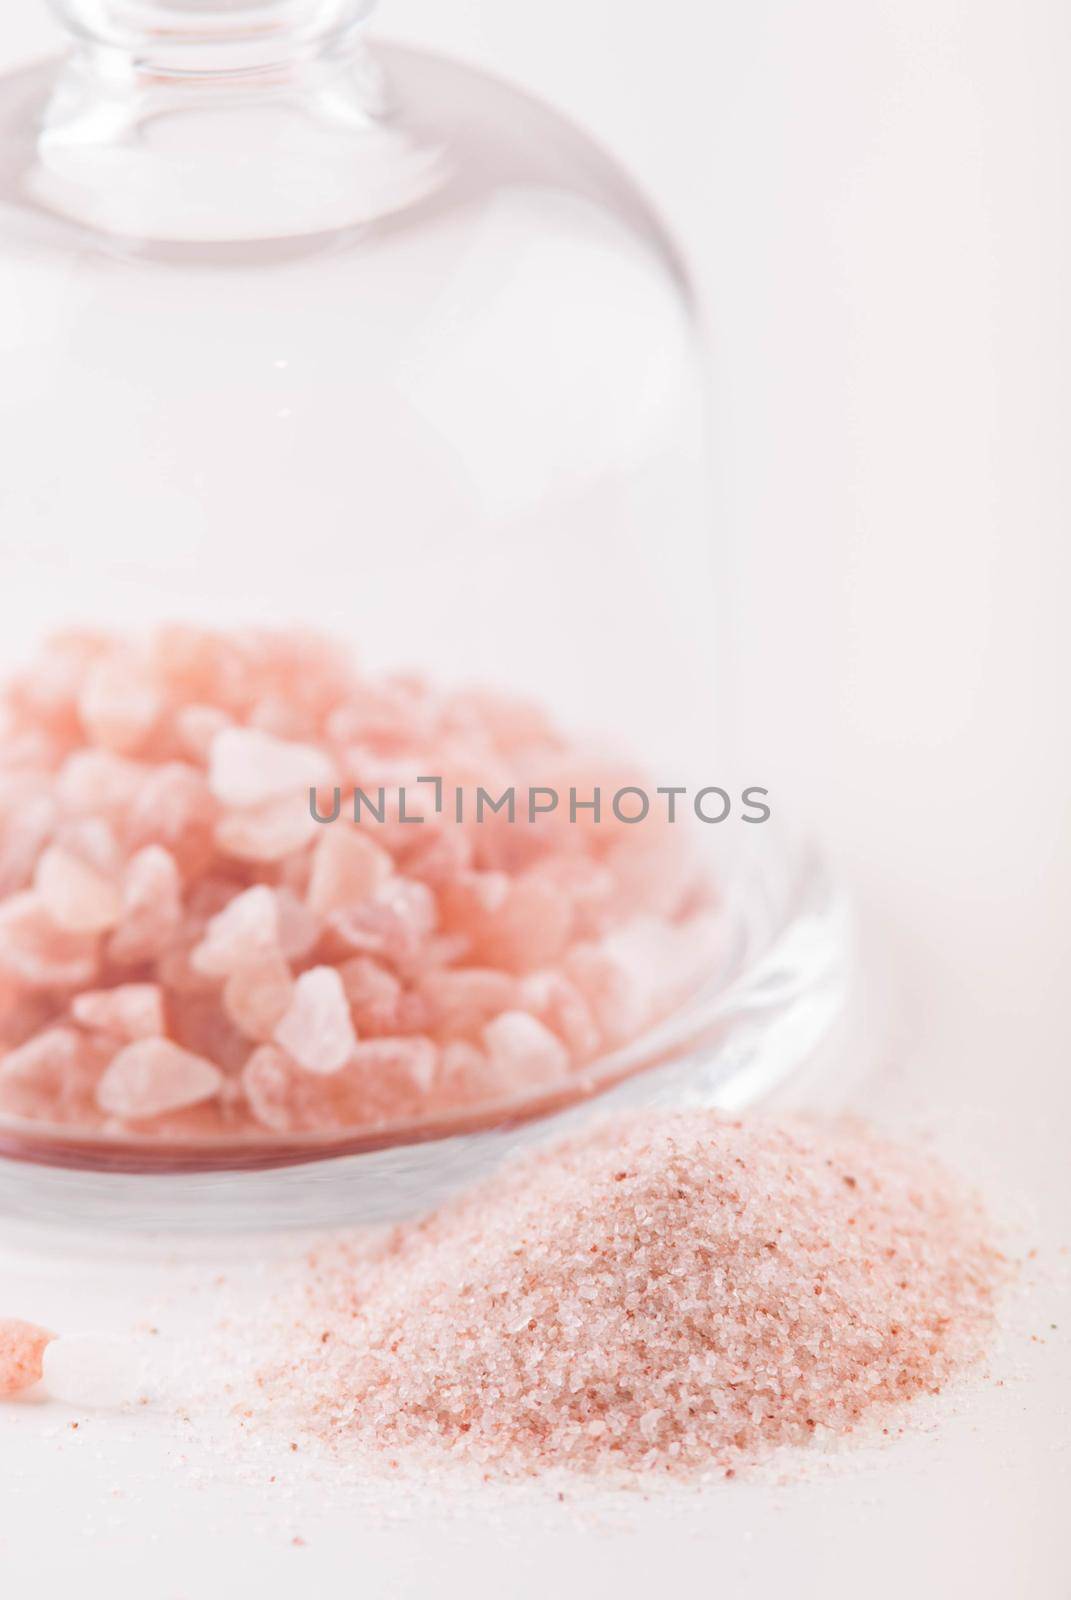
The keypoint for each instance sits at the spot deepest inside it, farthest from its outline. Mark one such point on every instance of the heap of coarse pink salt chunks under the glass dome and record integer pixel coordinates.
(188, 954)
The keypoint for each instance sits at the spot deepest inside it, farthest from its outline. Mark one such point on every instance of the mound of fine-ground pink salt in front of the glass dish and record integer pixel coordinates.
(668, 1294)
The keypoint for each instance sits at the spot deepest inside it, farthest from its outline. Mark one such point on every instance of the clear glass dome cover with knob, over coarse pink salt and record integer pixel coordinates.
(307, 335)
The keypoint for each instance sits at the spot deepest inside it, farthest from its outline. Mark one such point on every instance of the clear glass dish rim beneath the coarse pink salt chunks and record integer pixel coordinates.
(782, 986)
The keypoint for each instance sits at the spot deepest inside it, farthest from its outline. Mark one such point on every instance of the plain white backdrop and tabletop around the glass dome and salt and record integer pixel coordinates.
(875, 199)
